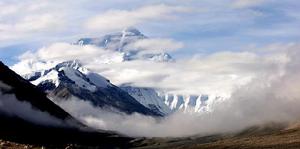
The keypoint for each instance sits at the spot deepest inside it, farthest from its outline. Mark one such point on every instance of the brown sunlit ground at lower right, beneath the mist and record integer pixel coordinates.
(267, 137)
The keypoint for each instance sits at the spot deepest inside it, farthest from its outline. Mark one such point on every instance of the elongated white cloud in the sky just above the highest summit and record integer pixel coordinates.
(120, 19)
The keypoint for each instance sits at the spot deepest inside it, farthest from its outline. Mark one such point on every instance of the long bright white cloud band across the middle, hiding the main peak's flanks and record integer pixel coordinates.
(217, 74)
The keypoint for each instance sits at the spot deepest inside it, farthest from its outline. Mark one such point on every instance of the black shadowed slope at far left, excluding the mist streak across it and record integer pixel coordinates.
(16, 129)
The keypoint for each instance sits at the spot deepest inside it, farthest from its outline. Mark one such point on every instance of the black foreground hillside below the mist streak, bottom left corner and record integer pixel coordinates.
(13, 129)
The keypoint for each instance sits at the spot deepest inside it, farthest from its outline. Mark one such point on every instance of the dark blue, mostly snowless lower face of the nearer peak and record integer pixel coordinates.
(108, 97)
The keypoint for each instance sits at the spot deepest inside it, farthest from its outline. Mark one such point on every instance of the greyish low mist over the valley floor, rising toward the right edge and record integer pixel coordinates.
(271, 97)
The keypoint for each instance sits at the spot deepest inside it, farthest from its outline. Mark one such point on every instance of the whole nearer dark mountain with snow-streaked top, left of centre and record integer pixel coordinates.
(69, 79)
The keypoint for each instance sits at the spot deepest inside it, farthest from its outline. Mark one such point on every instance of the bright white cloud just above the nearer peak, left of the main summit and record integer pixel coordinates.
(48, 56)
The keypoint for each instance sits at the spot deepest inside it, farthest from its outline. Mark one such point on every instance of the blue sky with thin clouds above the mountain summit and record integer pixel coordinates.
(203, 26)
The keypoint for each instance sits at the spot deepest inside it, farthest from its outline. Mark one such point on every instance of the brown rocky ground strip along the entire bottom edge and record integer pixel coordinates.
(271, 137)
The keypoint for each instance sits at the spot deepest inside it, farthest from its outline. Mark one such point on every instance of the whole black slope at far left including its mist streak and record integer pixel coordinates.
(28, 116)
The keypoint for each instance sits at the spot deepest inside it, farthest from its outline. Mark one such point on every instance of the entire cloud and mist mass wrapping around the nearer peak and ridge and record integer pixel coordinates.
(262, 84)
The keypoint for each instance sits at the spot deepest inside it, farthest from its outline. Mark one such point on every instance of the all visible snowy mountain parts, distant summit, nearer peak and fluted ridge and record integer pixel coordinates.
(72, 79)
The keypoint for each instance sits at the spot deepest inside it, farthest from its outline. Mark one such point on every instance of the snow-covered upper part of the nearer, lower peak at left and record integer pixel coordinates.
(71, 71)
